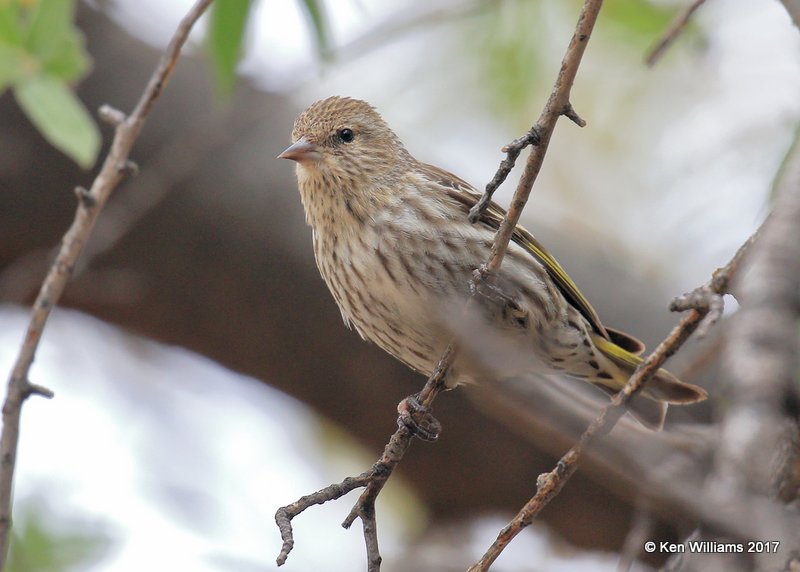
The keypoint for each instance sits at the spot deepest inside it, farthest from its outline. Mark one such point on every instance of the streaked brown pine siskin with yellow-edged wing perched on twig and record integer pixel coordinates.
(393, 243)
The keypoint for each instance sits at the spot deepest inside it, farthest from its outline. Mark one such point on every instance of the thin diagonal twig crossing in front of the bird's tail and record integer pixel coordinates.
(549, 485)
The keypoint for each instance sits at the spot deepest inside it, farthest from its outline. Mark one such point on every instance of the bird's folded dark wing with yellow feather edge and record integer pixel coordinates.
(465, 194)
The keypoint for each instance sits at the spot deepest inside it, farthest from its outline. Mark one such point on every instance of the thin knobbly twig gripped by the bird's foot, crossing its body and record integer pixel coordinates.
(558, 104)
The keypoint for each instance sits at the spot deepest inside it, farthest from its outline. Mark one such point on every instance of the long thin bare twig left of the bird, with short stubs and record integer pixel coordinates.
(116, 167)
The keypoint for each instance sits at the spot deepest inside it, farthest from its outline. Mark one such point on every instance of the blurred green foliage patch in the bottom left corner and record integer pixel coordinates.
(38, 544)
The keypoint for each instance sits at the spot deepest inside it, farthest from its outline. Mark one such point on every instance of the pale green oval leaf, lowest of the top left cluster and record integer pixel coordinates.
(60, 116)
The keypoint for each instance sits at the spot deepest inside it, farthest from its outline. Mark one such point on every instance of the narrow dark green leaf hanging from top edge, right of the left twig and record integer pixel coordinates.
(225, 39)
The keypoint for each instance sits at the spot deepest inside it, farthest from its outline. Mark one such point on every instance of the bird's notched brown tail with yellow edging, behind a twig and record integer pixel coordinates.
(650, 407)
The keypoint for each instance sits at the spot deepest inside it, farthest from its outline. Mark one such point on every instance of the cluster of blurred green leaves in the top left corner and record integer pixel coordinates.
(42, 54)
